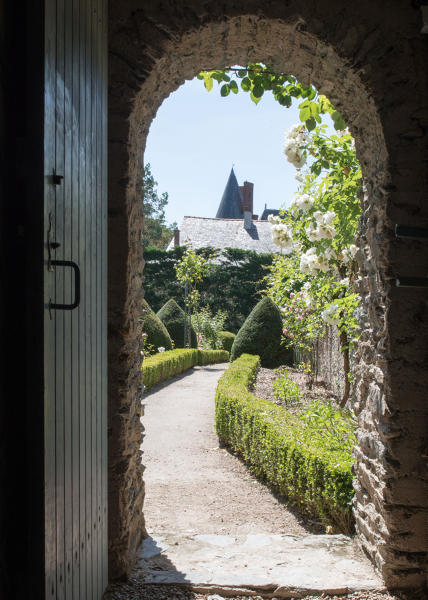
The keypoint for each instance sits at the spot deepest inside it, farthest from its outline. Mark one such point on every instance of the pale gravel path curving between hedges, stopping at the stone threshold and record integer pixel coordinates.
(191, 483)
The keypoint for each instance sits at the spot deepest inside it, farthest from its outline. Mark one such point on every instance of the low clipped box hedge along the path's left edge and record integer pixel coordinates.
(165, 365)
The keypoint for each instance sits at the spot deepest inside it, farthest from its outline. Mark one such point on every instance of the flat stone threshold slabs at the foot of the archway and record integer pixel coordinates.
(281, 566)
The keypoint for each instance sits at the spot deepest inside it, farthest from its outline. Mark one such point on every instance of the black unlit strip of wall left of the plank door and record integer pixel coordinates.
(21, 302)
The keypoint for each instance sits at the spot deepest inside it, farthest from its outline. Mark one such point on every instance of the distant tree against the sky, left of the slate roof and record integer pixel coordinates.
(155, 230)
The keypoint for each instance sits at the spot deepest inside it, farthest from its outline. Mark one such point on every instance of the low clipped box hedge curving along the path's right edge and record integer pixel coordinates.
(281, 450)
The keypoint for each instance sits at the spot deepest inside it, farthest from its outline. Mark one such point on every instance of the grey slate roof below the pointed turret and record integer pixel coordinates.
(202, 232)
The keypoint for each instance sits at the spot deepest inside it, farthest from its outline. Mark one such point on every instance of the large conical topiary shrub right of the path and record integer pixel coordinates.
(261, 334)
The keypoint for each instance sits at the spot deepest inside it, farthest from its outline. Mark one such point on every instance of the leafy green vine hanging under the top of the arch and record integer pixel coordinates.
(256, 79)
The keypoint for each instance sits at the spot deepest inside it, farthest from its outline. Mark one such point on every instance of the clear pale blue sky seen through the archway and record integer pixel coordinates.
(197, 136)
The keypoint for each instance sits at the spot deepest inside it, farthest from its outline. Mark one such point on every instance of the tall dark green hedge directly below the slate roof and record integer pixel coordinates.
(232, 284)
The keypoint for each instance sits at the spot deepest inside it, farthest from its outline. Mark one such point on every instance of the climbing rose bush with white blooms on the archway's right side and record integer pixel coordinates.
(317, 278)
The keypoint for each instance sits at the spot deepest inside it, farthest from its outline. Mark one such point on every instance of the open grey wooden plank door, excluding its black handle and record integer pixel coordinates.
(75, 358)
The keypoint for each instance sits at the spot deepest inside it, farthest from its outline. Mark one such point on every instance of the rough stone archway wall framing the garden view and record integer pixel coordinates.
(364, 61)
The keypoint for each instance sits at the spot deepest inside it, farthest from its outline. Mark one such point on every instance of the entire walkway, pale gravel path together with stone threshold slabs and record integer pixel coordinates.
(212, 525)
